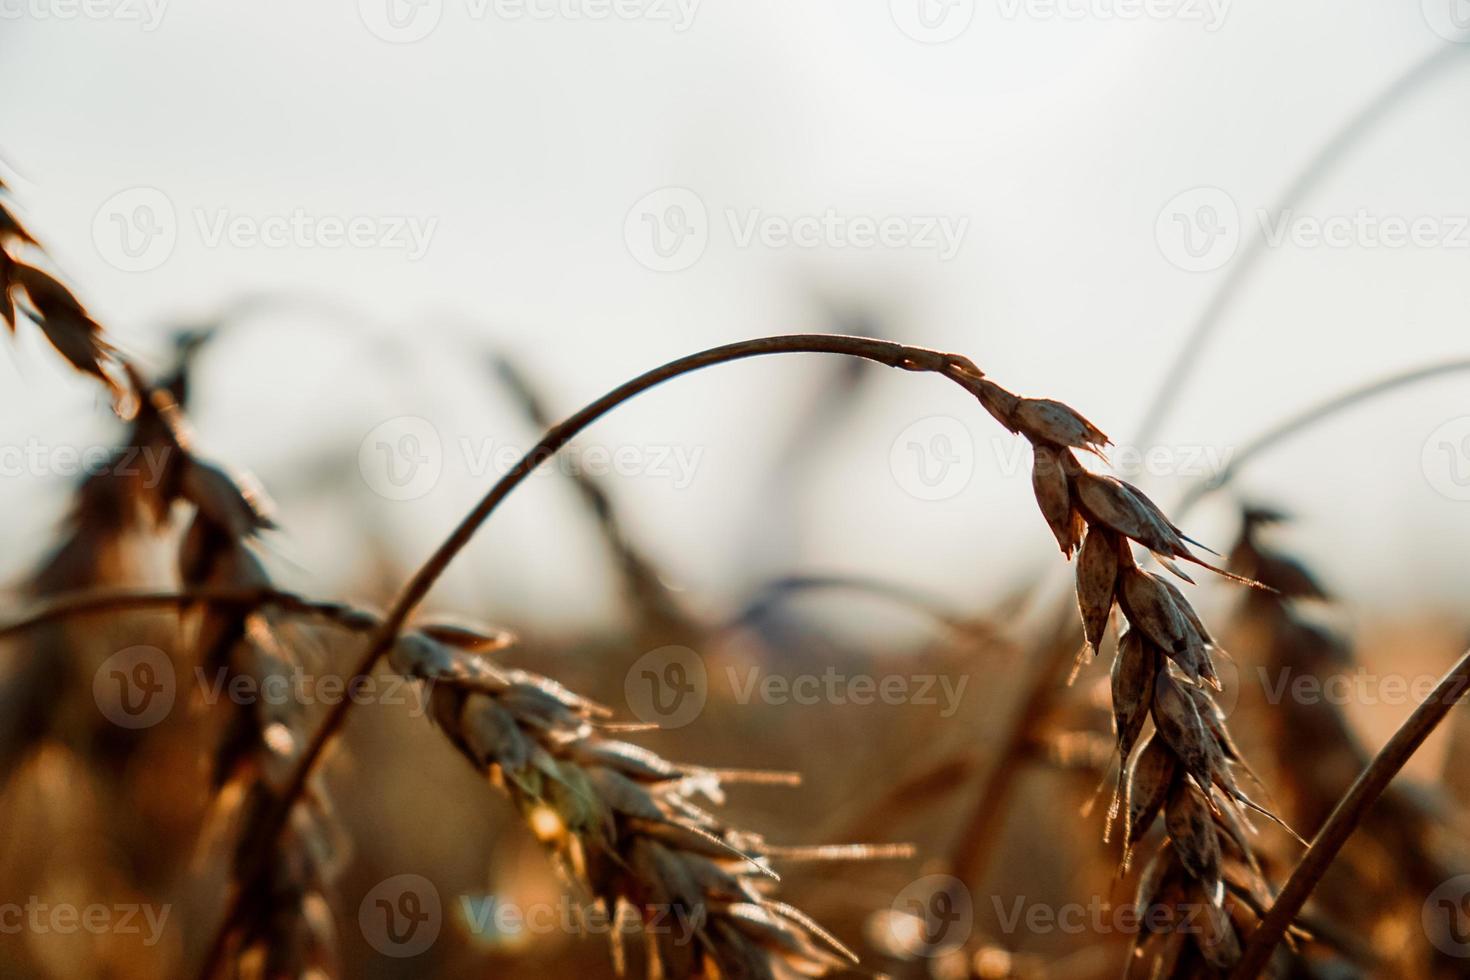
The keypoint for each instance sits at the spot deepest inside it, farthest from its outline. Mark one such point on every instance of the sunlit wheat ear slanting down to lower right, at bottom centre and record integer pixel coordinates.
(624, 822)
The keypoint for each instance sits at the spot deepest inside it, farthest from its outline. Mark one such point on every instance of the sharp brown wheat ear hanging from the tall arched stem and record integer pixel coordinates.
(1184, 771)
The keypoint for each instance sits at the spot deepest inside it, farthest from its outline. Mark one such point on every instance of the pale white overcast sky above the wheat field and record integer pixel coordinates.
(1059, 140)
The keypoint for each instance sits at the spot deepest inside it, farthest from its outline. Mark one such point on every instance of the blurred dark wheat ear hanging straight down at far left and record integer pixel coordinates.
(283, 926)
